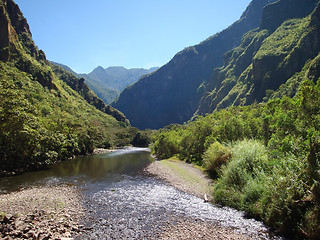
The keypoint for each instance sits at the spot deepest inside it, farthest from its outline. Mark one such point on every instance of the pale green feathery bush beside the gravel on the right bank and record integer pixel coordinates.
(240, 182)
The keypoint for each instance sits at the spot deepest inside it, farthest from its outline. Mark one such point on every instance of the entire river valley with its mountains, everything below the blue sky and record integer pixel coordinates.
(234, 119)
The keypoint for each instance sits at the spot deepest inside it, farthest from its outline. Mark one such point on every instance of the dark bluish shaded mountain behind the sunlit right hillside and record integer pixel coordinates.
(172, 94)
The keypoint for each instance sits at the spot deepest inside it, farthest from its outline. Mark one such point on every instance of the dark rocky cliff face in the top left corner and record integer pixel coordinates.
(16, 43)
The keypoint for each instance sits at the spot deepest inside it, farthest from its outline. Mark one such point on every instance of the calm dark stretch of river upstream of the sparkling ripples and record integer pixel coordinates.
(82, 170)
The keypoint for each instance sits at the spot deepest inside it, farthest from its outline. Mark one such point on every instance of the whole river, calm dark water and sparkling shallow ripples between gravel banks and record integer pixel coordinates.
(125, 202)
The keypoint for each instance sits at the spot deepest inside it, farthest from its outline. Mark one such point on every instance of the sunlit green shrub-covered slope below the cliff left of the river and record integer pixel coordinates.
(42, 125)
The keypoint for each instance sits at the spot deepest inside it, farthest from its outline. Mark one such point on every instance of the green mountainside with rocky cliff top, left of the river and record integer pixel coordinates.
(46, 113)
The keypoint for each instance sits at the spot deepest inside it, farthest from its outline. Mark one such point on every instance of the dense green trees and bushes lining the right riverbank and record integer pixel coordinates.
(267, 157)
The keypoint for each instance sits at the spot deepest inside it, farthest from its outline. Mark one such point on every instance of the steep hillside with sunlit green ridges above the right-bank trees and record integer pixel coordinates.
(270, 61)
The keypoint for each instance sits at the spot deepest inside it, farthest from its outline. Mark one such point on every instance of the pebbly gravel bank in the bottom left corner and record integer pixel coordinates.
(41, 213)
